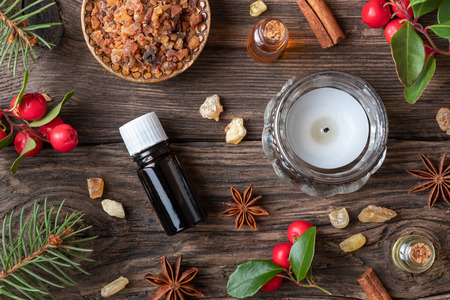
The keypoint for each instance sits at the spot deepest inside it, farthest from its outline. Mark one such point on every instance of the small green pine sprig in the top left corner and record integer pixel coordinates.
(11, 18)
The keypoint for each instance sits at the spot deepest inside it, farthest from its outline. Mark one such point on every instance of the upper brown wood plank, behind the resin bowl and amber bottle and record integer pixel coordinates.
(104, 101)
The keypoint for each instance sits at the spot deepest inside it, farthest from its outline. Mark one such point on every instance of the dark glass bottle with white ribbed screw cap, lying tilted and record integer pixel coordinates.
(166, 183)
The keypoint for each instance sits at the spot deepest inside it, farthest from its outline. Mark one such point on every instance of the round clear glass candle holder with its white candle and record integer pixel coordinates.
(326, 133)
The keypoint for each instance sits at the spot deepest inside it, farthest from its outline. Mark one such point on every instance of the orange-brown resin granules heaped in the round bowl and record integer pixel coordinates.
(146, 35)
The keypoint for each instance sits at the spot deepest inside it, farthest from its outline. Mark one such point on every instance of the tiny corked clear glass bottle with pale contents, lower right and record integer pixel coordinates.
(413, 253)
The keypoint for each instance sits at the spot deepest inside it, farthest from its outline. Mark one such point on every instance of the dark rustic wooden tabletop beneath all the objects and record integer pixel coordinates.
(131, 247)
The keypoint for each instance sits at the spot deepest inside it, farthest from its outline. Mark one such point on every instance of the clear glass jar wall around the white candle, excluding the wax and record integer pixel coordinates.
(313, 180)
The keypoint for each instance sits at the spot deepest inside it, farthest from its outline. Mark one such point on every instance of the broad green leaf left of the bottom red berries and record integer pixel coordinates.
(250, 276)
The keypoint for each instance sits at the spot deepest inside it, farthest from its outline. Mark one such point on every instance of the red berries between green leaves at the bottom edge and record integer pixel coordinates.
(280, 253)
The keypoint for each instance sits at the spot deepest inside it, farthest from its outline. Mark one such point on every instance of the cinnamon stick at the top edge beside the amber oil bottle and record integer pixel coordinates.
(322, 22)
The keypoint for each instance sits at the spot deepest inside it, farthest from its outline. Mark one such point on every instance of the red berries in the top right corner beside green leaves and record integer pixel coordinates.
(377, 13)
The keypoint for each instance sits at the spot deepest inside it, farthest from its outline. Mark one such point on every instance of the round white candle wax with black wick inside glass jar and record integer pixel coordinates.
(327, 128)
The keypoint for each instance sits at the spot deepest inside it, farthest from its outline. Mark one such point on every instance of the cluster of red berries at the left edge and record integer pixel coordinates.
(33, 107)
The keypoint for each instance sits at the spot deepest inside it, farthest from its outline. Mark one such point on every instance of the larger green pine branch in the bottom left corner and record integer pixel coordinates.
(41, 252)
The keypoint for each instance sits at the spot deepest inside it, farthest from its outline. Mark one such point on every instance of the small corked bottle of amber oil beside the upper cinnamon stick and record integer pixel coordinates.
(268, 40)
